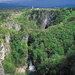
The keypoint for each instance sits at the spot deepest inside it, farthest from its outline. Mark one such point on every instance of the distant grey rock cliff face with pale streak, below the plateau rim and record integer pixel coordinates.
(42, 17)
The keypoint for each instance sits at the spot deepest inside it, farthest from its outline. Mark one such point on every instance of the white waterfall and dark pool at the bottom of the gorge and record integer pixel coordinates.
(31, 69)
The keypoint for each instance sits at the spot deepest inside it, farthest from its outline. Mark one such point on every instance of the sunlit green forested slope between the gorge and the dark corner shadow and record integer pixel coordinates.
(51, 46)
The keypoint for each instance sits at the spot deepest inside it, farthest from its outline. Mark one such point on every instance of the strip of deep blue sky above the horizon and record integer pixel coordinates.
(40, 3)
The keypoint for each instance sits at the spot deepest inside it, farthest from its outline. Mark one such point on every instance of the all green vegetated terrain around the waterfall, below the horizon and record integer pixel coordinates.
(46, 35)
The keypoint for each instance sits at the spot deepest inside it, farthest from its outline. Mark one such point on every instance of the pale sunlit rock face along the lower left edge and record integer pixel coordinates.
(4, 50)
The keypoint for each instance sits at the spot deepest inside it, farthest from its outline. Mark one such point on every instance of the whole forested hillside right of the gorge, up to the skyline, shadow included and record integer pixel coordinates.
(52, 48)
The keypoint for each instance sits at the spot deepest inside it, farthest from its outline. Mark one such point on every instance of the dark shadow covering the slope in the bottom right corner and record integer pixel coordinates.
(66, 66)
